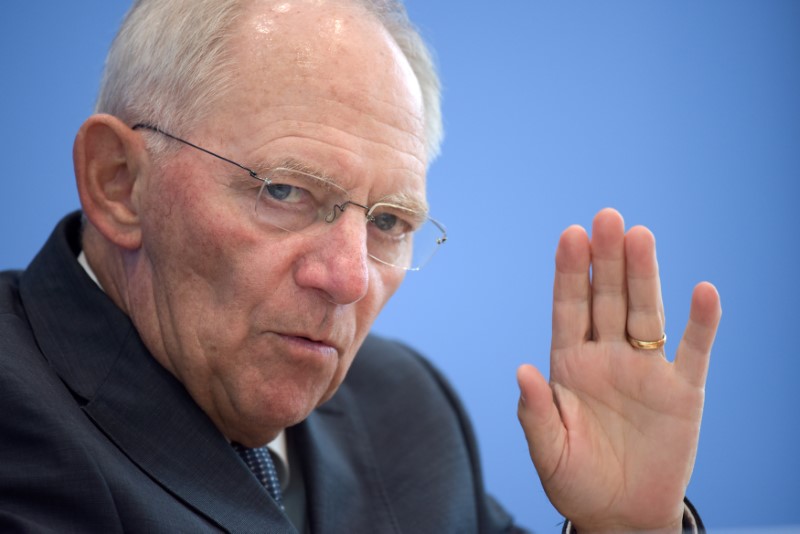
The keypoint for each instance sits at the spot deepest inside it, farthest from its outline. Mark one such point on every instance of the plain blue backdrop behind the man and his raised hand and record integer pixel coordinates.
(684, 115)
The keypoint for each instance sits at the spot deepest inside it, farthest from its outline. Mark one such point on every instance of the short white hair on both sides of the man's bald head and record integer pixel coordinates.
(171, 61)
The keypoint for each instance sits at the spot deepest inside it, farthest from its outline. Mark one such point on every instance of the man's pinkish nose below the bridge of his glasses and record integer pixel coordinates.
(337, 264)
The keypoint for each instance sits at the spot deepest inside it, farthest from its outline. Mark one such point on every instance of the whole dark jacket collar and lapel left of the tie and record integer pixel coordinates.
(140, 406)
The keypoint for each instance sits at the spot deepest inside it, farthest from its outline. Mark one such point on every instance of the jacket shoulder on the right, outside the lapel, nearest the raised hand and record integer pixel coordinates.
(416, 419)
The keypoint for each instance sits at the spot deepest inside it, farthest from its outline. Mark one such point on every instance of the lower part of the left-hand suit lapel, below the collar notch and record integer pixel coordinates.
(149, 415)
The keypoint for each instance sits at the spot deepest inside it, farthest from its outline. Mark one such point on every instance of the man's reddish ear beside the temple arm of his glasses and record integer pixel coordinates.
(109, 158)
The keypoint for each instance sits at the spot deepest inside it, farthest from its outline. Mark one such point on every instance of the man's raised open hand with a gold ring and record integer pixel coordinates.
(613, 435)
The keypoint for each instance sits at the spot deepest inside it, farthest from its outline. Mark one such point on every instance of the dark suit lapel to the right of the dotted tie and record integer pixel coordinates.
(344, 489)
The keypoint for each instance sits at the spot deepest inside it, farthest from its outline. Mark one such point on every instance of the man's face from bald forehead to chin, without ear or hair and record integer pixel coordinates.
(261, 325)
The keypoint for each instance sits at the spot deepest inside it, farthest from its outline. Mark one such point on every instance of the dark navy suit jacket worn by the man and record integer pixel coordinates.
(95, 436)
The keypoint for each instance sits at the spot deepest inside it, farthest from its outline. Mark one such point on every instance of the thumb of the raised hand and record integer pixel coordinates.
(541, 421)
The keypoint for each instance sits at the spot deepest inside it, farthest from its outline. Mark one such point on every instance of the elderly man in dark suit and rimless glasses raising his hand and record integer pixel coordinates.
(253, 191)
